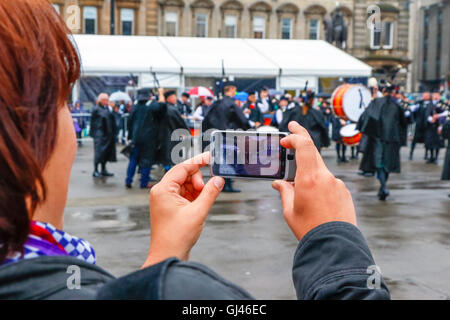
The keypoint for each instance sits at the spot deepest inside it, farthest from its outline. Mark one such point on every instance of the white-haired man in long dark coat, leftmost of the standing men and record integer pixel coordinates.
(103, 130)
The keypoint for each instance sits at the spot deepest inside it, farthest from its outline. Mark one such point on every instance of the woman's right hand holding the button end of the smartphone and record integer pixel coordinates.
(317, 196)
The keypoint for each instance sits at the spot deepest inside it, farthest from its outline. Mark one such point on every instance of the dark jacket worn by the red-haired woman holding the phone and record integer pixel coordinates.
(332, 261)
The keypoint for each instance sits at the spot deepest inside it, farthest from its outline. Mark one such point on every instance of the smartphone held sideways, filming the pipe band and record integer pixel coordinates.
(251, 155)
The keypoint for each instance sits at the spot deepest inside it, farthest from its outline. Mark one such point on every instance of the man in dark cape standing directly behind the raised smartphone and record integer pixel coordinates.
(223, 115)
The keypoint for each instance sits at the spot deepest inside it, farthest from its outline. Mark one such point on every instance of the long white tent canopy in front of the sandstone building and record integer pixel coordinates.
(291, 61)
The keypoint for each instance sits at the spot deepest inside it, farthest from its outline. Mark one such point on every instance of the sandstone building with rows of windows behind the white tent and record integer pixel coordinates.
(386, 50)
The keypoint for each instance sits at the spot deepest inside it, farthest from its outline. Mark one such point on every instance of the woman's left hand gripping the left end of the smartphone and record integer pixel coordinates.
(179, 205)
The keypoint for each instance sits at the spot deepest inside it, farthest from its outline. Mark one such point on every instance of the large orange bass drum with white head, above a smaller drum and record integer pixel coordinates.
(350, 100)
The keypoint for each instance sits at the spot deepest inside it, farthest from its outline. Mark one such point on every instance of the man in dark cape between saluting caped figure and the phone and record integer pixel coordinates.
(169, 121)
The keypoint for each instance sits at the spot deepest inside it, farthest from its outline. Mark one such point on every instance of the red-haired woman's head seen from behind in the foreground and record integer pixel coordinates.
(38, 66)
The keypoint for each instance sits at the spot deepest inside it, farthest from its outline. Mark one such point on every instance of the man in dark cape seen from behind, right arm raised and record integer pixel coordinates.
(143, 132)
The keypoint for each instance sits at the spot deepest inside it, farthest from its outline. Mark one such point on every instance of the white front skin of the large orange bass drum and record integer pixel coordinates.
(356, 100)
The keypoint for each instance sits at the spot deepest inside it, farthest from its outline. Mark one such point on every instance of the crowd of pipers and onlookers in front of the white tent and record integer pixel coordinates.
(391, 119)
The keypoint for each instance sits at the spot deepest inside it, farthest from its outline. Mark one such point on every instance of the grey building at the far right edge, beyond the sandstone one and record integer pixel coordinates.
(430, 45)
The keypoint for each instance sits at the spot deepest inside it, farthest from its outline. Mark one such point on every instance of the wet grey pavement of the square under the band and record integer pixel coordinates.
(247, 241)
